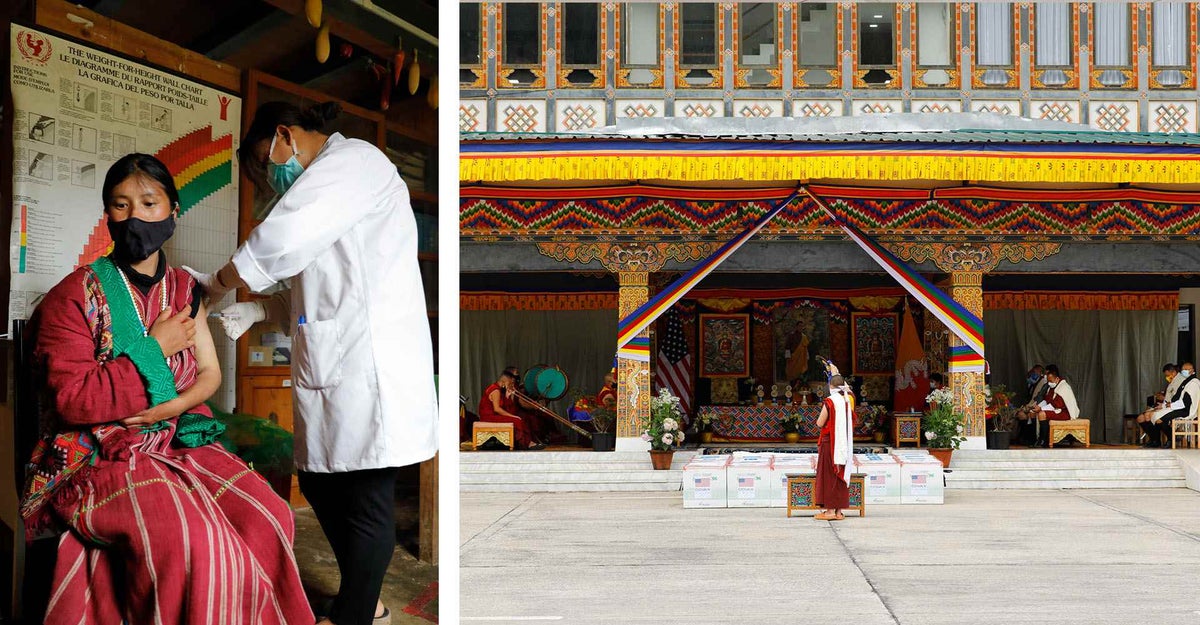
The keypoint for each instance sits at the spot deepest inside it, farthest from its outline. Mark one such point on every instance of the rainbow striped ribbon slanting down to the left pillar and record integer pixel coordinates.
(640, 320)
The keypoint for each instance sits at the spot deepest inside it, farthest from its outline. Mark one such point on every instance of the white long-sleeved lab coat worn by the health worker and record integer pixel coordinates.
(363, 360)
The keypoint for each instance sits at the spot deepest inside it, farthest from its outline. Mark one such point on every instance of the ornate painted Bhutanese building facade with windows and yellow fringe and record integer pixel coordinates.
(1005, 217)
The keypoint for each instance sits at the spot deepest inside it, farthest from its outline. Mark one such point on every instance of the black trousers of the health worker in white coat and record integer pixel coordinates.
(357, 513)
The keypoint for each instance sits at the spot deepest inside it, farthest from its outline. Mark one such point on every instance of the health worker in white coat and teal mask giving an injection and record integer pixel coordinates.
(344, 233)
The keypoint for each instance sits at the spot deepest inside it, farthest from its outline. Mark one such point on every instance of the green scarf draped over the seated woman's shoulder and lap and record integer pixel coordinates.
(130, 340)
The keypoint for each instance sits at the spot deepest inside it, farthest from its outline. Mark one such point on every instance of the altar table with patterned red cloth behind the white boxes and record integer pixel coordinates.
(761, 423)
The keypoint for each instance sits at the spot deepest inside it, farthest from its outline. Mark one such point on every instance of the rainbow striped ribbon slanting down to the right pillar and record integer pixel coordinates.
(961, 321)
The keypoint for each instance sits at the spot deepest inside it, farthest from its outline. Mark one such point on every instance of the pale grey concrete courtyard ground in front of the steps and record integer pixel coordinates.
(985, 557)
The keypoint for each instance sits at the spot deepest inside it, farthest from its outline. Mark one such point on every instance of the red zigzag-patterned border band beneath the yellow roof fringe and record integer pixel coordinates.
(968, 211)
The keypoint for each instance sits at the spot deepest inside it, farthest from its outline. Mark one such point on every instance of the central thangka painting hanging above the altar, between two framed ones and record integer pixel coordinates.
(802, 334)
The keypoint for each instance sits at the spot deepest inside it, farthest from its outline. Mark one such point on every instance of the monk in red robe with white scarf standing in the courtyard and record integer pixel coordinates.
(836, 452)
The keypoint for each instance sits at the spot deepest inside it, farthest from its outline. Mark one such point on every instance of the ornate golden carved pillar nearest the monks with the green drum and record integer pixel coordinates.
(633, 377)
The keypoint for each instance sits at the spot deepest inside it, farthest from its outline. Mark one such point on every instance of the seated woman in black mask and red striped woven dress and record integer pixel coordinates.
(161, 524)
